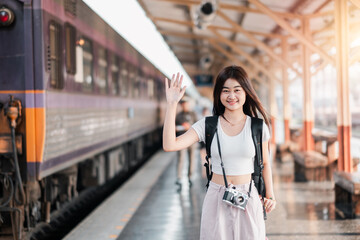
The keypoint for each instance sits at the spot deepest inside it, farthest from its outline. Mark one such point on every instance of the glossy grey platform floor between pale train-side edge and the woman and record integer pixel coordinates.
(168, 213)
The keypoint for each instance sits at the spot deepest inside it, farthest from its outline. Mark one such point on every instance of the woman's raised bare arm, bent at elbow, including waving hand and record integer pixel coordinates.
(174, 93)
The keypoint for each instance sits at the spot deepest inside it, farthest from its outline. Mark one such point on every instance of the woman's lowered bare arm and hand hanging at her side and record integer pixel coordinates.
(270, 201)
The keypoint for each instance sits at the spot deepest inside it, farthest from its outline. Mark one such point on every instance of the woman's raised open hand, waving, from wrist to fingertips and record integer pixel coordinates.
(174, 92)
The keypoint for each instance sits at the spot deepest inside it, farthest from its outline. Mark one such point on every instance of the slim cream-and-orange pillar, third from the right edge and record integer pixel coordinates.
(286, 100)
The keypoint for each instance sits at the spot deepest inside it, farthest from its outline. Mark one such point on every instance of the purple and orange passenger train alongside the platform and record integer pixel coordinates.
(78, 106)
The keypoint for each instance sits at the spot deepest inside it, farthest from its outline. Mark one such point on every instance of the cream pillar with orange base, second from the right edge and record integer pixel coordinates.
(308, 107)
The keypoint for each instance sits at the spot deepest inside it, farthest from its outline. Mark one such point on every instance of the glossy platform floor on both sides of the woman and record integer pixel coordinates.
(305, 210)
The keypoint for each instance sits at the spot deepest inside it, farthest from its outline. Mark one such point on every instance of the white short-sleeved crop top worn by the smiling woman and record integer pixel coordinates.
(238, 152)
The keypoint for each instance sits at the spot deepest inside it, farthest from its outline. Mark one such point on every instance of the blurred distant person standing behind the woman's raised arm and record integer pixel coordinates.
(184, 120)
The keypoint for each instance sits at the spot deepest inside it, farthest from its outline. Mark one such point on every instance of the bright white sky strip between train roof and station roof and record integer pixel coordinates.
(130, 21)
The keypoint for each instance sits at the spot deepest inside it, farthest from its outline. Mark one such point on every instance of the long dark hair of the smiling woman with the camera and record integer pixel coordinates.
(252, 103)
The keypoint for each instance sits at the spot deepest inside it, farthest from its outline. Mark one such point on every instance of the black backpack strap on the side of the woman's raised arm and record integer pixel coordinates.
(210, 128)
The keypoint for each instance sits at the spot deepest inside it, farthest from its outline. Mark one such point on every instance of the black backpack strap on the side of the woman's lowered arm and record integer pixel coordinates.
(256, 130)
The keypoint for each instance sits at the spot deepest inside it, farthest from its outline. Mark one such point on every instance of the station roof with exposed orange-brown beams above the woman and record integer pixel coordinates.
(248, 33)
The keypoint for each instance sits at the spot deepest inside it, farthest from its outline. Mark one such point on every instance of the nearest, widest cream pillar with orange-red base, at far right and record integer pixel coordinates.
(342, 75)
